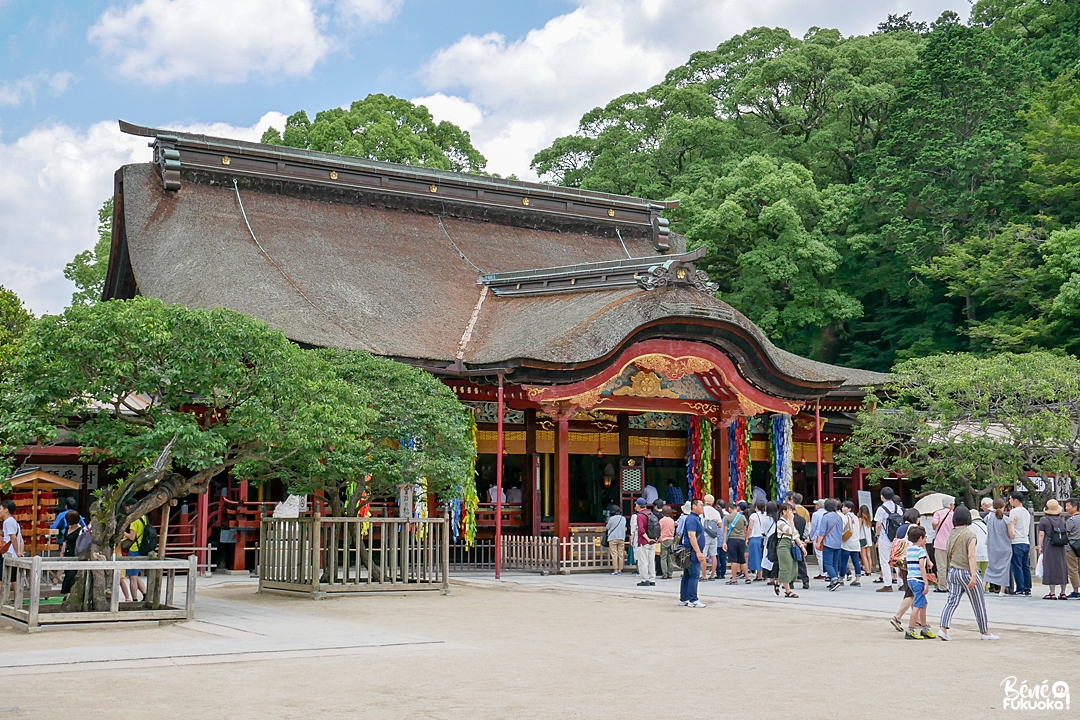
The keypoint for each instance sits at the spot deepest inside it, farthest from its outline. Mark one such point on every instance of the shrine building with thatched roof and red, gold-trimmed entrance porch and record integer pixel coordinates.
(618, 366)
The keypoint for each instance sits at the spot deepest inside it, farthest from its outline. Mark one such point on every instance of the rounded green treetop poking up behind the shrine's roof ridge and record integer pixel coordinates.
(383, 128)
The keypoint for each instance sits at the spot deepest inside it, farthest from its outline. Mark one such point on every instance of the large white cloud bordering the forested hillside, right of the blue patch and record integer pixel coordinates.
(537, 88)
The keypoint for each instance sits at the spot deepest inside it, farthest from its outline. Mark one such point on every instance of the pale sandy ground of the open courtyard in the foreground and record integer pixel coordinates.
(546, 653)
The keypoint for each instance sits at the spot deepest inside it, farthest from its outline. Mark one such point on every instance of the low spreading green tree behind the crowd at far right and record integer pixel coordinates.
(973, 426)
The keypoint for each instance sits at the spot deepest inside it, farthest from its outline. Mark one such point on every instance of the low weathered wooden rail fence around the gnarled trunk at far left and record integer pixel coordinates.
(22, 604)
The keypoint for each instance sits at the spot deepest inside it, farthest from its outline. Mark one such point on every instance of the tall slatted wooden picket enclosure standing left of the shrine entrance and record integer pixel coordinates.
(323, 556)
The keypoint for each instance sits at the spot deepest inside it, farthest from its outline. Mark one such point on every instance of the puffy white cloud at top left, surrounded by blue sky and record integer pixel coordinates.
(159, 42)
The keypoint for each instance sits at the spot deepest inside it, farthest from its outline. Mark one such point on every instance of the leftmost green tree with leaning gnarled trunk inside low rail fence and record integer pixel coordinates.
(199, 391)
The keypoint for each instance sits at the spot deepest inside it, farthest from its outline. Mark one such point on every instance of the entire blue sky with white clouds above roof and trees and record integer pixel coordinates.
(516, 74)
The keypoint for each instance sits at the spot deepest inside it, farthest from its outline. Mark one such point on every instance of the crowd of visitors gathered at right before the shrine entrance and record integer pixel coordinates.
(952, 551)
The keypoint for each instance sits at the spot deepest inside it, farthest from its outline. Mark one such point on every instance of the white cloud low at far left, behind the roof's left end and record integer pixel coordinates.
(52, 183)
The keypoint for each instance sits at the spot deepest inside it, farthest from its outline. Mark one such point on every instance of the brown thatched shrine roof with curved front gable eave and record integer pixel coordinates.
(382, 271)
